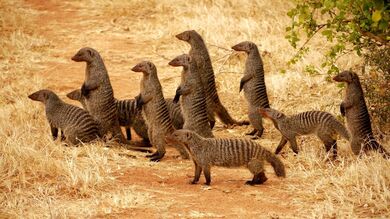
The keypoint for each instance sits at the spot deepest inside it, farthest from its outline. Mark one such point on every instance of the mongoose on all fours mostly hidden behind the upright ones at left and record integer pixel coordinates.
(129, 116)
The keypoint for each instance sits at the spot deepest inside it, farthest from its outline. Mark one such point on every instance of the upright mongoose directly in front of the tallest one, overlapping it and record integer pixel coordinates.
(193, 100)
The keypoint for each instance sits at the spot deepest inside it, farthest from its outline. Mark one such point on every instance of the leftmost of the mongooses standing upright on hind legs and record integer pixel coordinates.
(98, 93)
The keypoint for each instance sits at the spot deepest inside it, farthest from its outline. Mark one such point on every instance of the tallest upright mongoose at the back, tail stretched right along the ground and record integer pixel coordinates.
(202, 59)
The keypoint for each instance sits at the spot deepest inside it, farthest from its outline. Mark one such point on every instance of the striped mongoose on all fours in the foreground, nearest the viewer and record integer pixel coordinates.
(208, 152)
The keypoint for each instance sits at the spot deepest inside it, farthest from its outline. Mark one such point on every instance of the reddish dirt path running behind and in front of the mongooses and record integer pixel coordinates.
(69, 28)
